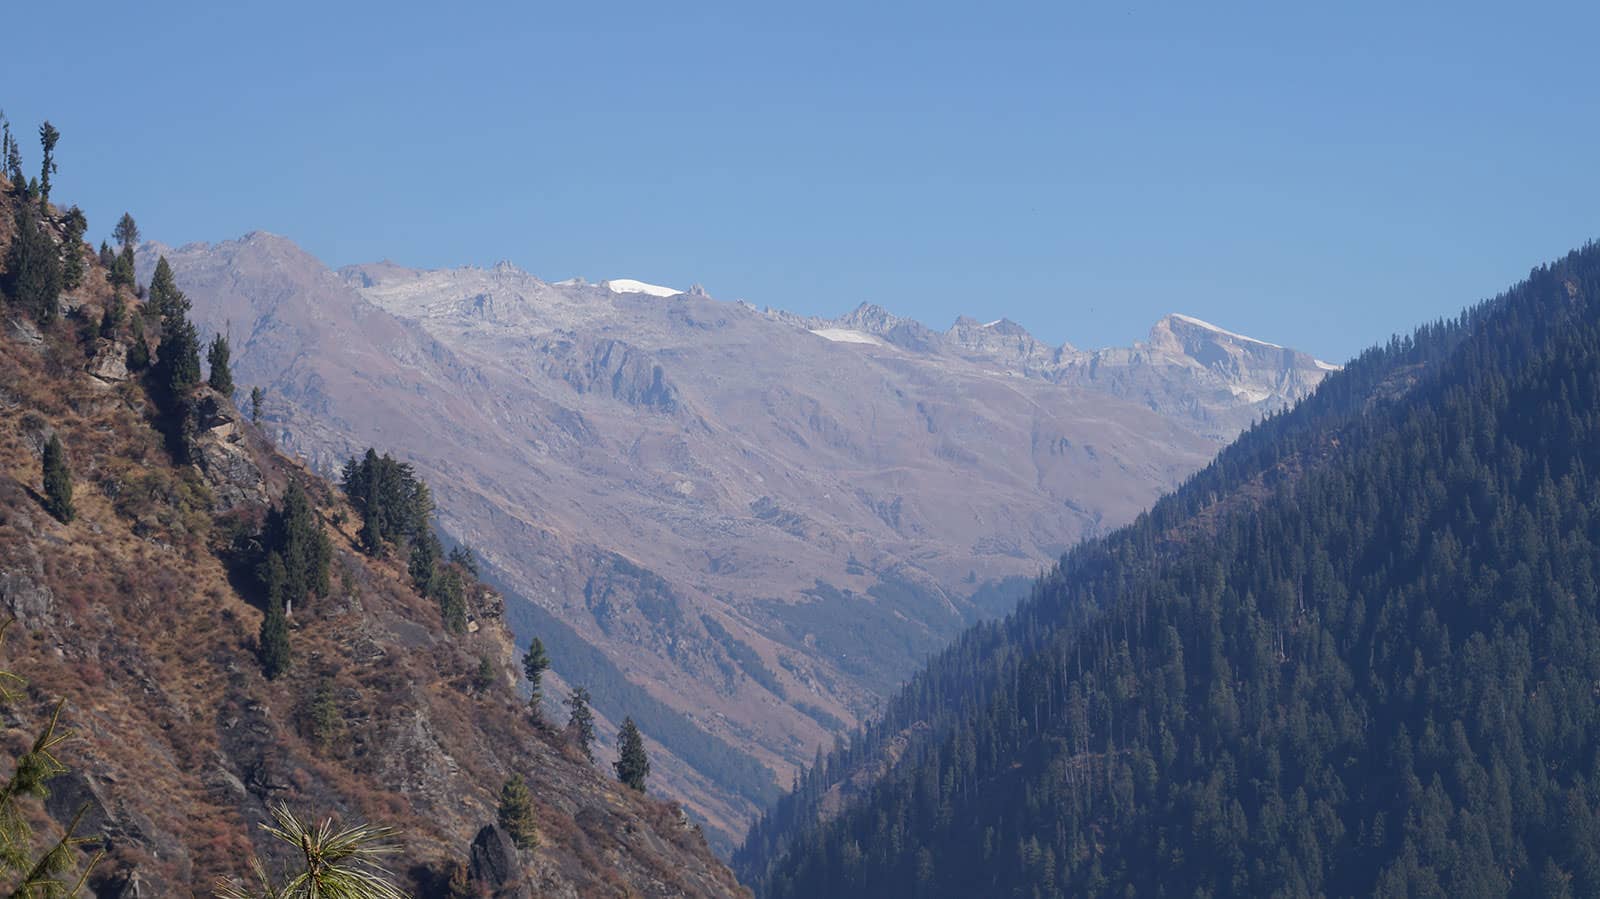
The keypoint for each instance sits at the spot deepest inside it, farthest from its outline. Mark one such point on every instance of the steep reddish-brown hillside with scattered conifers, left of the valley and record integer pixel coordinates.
(231, 634)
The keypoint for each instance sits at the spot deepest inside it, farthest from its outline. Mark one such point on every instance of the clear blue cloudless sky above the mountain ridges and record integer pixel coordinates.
(1318, 178)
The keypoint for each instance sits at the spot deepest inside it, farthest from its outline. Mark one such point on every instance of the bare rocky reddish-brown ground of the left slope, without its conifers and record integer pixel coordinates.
(140, 617)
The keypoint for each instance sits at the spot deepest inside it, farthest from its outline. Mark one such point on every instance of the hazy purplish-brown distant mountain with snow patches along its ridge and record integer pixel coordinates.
(762, 522)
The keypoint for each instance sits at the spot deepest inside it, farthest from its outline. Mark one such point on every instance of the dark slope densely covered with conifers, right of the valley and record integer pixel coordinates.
(1358, 655)
